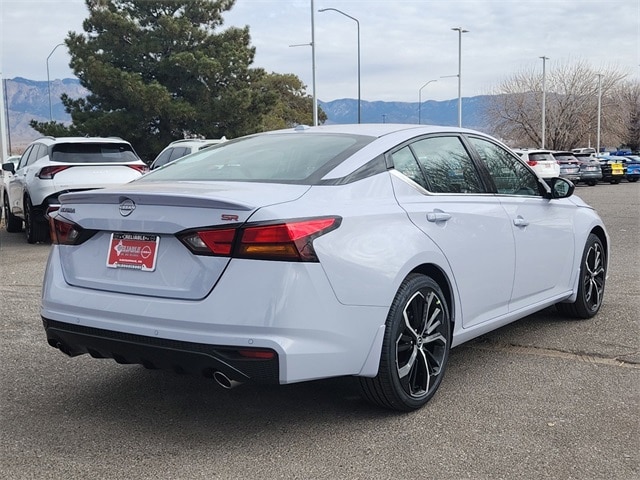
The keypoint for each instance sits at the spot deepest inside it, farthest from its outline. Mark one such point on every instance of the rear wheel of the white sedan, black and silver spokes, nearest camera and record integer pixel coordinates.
(415, 349)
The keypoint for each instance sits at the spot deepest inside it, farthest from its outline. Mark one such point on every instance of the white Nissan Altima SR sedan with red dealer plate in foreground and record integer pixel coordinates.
(363, 250)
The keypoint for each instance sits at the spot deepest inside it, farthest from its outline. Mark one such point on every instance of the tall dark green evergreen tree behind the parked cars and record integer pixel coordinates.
(160, 70)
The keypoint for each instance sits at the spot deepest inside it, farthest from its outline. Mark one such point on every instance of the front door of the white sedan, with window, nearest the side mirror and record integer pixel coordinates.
(542, 228)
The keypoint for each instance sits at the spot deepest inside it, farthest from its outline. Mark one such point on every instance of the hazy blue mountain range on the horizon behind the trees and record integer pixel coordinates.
(27, 100)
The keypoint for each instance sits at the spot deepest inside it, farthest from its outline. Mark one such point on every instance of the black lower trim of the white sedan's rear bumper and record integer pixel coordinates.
(157, 353)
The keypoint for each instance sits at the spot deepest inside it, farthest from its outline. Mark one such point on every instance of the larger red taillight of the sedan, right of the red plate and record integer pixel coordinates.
(286, 241)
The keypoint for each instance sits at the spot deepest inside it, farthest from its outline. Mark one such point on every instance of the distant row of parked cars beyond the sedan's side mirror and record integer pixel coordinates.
(582, 166)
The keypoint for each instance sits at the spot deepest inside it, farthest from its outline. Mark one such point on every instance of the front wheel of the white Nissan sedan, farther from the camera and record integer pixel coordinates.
(593, 273)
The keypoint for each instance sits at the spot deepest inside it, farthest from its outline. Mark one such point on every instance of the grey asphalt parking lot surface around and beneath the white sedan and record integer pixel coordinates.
(543, 398)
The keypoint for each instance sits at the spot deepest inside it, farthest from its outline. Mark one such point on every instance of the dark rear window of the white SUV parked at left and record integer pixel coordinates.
(93, 153)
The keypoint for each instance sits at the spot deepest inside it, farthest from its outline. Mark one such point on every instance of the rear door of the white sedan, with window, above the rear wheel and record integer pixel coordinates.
(451, 206)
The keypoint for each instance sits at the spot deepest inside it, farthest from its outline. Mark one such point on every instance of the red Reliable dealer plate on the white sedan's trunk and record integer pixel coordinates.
(133, 250)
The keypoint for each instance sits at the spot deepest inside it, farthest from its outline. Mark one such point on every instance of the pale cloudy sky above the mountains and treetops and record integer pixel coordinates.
(403, 43)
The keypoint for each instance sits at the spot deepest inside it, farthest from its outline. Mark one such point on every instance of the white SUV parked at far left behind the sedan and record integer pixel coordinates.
(52, 166)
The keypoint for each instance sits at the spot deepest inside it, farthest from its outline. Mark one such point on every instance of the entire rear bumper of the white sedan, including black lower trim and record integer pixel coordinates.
(312, 334)
